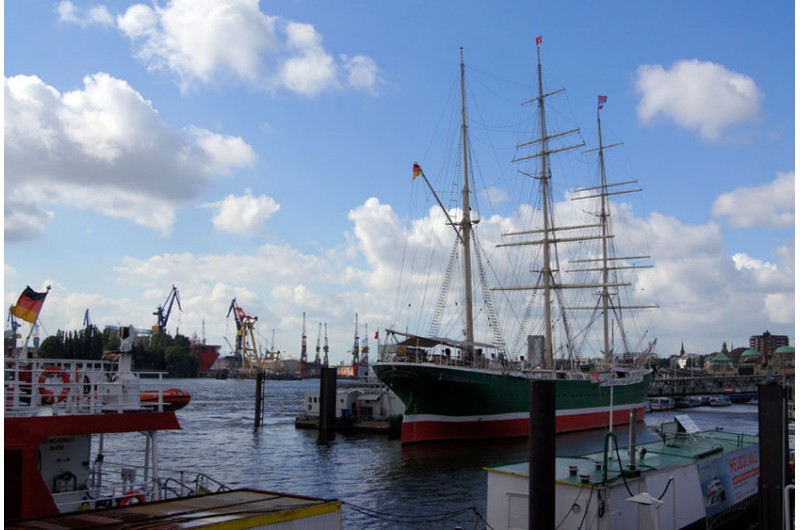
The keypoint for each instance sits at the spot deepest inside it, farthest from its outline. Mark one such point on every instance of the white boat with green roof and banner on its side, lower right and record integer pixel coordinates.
(688, 478)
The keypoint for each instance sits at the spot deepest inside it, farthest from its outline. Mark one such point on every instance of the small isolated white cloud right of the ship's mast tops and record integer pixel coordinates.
(697, 95)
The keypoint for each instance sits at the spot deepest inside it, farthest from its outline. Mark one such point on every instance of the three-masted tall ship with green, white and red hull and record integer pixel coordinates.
(473, 388)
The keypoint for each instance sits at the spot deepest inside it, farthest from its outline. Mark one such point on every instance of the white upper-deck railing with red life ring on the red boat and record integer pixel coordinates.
(58, 387)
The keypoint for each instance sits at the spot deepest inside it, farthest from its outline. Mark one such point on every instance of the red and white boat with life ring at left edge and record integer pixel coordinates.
(57, 415)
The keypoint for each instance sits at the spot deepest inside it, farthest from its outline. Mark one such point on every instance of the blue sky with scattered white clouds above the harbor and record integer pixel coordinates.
(262, 151)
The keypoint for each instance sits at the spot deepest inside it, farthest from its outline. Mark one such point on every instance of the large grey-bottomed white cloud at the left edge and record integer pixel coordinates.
(104, 139)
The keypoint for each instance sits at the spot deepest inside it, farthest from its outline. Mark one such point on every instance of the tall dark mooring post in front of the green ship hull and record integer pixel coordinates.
(542, 455)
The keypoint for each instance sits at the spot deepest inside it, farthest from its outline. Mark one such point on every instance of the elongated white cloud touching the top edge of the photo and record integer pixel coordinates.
(220, 41)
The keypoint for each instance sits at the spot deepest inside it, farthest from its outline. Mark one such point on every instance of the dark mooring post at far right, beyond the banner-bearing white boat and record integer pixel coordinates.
(772, 444)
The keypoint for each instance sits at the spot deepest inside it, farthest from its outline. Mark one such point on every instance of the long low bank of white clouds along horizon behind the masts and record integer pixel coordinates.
(705, 297)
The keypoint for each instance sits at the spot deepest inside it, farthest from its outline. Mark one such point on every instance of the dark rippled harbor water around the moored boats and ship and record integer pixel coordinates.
(382, 483)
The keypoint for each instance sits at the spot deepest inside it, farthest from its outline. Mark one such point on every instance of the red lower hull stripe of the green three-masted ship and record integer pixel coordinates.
(415, 429)
